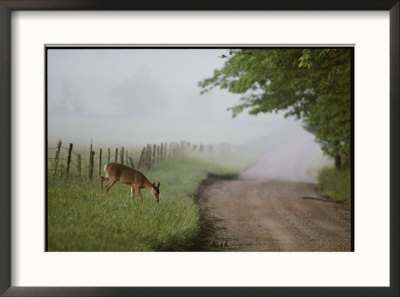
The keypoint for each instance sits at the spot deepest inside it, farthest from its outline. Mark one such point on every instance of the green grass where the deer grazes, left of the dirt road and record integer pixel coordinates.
(80, 218)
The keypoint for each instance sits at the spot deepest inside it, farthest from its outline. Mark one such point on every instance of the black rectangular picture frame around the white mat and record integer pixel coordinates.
(7, 6)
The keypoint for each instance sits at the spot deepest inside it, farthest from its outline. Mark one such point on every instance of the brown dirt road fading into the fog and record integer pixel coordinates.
(282, 213)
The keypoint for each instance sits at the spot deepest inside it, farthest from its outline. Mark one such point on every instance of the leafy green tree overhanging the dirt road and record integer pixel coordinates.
(313, 85)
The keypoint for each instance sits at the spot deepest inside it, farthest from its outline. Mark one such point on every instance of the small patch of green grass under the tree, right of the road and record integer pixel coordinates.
(336, 183)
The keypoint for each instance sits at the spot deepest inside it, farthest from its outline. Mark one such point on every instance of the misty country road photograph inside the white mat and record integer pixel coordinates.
(242, 149)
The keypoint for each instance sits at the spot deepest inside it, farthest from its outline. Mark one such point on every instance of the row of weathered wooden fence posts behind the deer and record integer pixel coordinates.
(65, 162)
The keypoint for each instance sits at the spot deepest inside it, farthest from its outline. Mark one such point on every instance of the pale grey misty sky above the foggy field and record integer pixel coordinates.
(138, 96)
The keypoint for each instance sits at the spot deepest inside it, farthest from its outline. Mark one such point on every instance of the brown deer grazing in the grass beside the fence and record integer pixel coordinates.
(118, 172)
